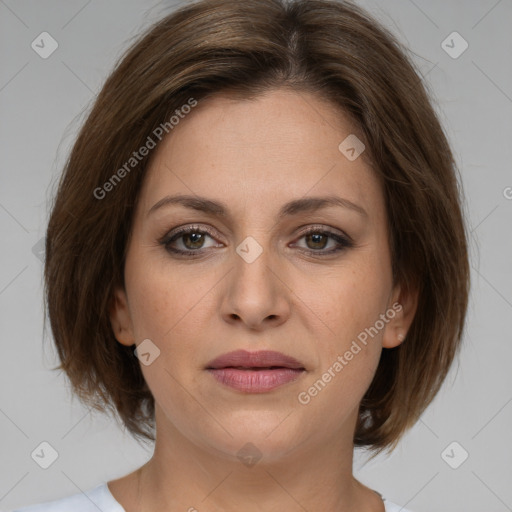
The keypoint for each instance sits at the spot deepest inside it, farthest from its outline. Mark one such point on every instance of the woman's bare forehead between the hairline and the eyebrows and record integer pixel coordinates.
(279, 146)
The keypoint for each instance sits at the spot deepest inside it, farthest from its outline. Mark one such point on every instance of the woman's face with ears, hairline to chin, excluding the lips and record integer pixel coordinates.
(252, 278)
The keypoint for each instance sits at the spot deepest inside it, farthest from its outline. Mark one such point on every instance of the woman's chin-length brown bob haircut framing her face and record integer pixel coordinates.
(332, 49)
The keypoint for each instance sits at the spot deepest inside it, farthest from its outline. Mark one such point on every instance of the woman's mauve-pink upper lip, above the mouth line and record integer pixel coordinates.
(261, 359)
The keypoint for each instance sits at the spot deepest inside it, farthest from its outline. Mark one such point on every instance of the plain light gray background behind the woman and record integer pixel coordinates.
(42, 102)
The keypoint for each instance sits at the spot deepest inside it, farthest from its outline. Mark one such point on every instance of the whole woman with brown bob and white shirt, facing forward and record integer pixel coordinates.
(257, 257)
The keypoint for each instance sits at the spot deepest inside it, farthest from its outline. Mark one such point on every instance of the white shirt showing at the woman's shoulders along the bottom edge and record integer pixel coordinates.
(100, 498)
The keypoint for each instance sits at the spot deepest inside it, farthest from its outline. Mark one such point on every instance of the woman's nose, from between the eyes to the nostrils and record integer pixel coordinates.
(256, 295)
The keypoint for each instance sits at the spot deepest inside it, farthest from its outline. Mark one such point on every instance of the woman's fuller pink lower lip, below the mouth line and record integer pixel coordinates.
(255, 381)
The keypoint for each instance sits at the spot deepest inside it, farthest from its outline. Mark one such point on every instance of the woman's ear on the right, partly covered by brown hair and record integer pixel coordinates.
(404, 301)
